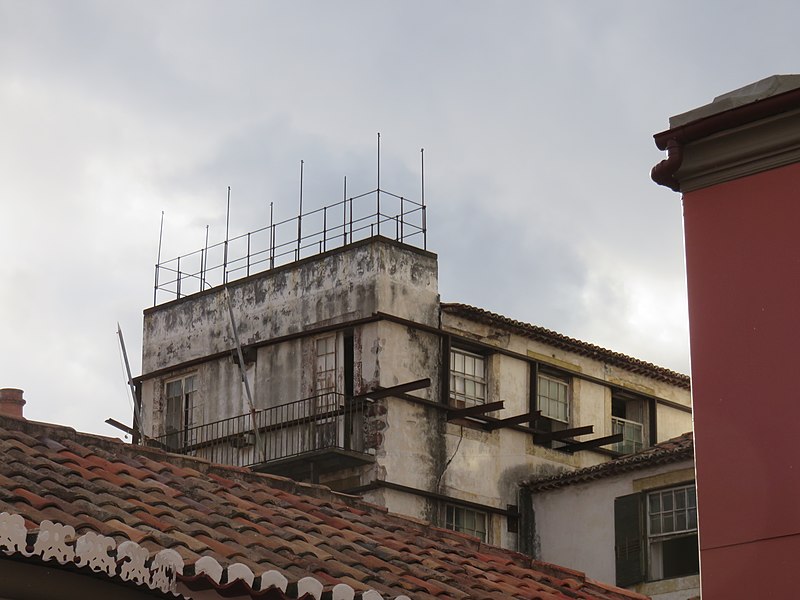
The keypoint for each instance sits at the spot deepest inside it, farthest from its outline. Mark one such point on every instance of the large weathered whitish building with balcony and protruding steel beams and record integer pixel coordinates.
(361, 379)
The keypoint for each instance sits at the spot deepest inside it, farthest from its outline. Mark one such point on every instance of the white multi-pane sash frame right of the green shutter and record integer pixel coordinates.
(665, 510)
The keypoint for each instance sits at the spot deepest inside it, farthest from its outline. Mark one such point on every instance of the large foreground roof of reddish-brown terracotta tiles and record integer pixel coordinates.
(209, 513)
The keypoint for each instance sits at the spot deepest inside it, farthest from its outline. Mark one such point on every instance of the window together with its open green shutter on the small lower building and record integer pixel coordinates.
(655, 535)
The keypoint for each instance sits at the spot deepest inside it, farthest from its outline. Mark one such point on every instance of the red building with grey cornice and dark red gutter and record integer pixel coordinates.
(736, 162)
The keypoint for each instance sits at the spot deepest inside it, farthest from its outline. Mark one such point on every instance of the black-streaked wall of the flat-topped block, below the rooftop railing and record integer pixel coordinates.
(193, 334)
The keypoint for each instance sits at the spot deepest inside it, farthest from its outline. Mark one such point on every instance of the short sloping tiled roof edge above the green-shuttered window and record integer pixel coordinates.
(674, 450)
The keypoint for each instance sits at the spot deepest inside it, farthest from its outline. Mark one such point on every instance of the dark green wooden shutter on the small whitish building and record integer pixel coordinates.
(628, 539)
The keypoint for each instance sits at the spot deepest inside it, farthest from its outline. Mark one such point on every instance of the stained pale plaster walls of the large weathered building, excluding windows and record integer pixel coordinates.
(413, 445)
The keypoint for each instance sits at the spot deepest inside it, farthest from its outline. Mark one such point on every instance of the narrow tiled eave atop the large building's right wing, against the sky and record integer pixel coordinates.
(535, 332)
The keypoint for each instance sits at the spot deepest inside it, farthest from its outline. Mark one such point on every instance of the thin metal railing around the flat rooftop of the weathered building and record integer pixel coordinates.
(377, 212)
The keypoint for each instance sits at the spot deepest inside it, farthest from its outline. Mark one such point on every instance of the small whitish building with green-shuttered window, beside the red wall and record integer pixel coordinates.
(631, 521)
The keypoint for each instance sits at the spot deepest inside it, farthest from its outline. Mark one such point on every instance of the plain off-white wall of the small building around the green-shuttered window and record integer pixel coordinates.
(575, 526)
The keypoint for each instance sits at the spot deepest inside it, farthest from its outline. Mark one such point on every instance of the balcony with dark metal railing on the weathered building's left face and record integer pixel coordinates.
(299, 440)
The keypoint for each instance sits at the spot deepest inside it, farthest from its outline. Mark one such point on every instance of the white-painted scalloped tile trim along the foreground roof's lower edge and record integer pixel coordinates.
(131, 562)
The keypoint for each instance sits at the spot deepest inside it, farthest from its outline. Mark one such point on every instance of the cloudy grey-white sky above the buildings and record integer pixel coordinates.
(536, 118)
